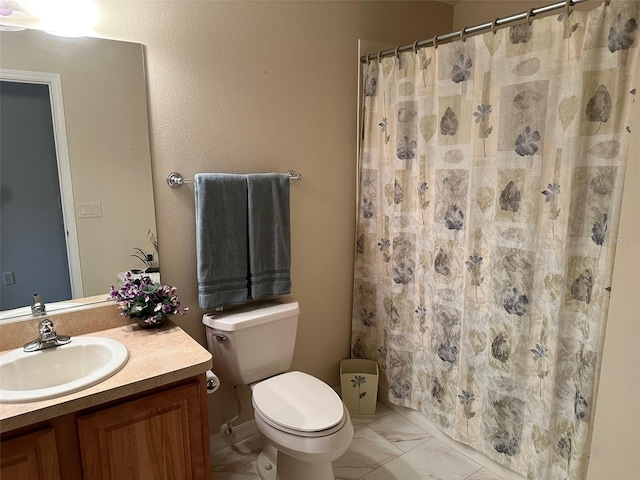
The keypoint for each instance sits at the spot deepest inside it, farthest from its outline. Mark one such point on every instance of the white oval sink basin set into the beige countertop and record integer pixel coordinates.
(53, 372)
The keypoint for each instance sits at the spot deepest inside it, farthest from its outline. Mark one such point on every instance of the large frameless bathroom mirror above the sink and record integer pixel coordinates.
(110, 193)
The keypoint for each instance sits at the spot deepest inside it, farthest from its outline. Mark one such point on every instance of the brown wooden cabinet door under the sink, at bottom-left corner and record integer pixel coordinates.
(30, 457)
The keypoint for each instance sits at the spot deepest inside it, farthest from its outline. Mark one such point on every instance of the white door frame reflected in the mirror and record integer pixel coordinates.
(64, 170)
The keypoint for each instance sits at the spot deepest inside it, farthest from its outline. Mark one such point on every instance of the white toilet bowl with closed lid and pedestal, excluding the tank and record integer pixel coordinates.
(303, 424)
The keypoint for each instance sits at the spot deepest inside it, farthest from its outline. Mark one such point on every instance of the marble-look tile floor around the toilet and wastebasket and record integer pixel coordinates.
(385, 446)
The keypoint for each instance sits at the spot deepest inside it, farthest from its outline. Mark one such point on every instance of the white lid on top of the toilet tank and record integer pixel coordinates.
(250, 315)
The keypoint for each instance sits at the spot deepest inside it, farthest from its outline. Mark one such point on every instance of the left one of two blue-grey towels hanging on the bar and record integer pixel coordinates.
(221, 239)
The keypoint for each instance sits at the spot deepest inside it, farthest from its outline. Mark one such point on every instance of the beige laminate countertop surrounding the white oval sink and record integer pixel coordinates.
(157, 357)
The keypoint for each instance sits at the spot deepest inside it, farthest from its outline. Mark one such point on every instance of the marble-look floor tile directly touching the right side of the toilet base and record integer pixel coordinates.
(367, 451)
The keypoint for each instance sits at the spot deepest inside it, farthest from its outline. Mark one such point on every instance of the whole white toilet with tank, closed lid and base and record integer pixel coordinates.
(302, 422)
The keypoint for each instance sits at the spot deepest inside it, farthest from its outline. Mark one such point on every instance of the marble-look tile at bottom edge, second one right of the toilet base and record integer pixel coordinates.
(430, 461)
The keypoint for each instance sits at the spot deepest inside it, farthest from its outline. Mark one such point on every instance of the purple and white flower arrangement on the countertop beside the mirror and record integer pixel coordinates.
(146, 300)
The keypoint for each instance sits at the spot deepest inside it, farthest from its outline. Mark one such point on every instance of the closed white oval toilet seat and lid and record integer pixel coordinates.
(298, 403)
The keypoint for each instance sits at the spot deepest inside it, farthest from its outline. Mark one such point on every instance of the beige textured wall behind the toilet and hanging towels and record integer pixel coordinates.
(257, 87)
